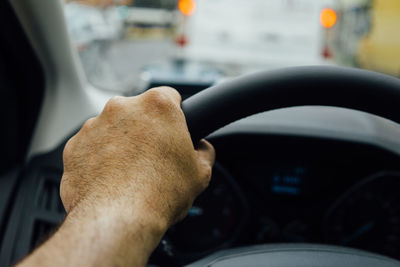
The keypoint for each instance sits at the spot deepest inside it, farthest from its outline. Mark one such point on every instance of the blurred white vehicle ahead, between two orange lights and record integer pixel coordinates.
(244, 36)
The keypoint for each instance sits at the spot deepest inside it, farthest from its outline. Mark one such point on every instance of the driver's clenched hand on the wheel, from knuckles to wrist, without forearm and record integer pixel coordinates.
(138, 149)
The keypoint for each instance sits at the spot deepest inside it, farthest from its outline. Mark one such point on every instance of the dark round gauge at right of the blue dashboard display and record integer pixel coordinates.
(368, 216)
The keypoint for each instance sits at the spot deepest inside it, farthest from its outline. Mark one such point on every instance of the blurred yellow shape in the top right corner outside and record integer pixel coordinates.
(380, 49)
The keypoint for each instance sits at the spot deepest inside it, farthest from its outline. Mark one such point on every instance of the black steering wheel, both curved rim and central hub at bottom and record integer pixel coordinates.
(227, 102)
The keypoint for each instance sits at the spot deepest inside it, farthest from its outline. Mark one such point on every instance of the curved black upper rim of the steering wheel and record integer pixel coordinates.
(362, 90)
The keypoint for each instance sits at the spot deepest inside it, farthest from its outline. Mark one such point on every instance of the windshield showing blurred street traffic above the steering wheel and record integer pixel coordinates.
(124, 43)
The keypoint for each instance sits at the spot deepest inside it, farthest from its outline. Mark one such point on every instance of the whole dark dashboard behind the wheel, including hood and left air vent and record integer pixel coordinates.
(306, 176)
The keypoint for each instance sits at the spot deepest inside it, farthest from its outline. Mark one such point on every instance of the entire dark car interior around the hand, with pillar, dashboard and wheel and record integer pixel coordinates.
(308, 158)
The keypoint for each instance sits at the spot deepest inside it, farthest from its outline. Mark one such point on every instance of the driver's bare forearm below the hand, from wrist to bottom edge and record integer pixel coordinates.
(113, 236)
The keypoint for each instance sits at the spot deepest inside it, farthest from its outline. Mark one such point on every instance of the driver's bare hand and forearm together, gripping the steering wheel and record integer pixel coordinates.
(129, 174)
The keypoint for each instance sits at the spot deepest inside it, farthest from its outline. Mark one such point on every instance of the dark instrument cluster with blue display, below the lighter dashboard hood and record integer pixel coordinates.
(288, 189)
